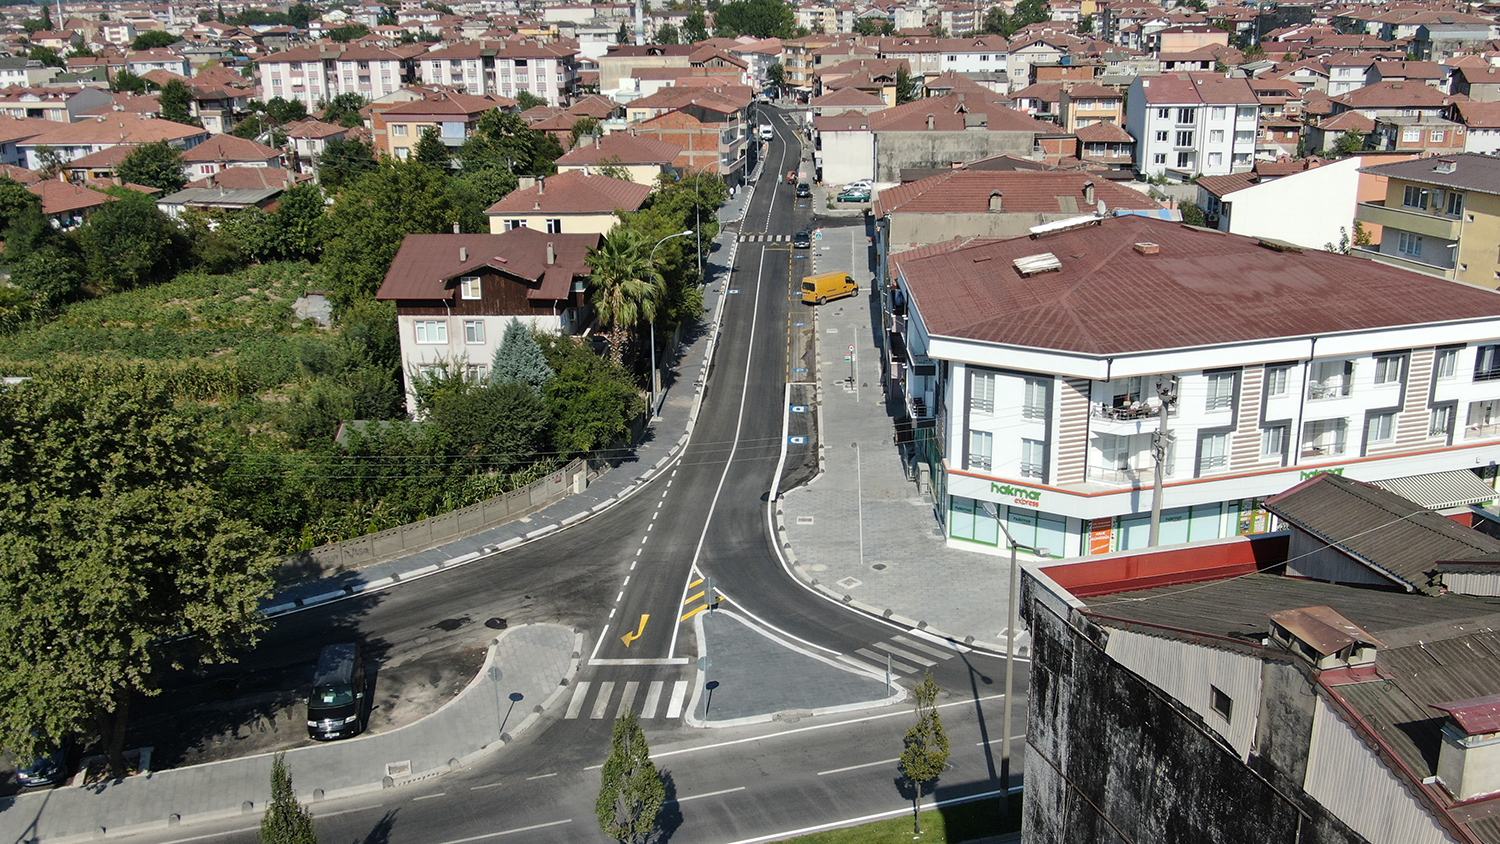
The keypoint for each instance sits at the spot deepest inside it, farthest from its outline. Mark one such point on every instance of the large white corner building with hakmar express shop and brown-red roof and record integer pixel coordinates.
(1030, 370)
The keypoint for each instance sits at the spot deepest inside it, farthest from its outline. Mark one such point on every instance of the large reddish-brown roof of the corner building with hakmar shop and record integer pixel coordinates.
(1108, 298)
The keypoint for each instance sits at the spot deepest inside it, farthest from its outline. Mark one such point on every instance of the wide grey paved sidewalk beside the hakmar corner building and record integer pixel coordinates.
(862, 533)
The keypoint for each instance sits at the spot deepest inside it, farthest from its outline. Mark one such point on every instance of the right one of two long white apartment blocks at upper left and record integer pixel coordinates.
(505, 68)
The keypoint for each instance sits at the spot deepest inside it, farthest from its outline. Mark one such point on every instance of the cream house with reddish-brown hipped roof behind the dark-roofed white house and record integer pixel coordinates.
(568, 203)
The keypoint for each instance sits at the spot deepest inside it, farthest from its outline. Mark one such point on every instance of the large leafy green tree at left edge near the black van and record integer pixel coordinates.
(122, 560)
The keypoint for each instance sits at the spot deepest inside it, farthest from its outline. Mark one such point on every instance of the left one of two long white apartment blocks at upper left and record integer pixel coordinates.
(320, 73)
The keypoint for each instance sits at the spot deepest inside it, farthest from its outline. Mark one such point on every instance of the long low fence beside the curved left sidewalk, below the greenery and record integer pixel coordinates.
(359, 552)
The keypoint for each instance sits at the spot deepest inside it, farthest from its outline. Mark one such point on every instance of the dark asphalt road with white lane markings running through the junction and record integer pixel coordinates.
(629, 570)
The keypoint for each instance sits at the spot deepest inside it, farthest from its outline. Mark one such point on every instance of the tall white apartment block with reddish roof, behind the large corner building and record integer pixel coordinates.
(1196, 124)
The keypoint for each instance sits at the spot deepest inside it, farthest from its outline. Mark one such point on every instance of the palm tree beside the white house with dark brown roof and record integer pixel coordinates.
(625, 287)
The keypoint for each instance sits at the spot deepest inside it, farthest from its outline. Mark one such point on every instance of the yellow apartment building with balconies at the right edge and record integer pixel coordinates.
(1439, 217)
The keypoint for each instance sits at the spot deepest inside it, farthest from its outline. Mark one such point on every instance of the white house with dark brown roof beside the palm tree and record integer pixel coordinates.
(457, 293)
